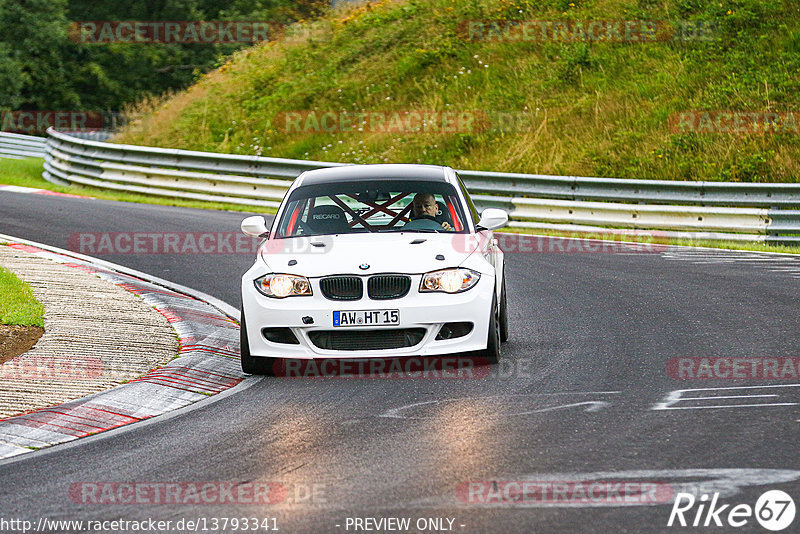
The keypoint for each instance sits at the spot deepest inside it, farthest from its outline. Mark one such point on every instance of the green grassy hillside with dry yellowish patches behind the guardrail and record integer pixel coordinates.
(581, 108)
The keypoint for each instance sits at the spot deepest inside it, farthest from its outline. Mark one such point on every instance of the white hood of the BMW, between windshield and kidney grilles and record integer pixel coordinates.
(400, 252)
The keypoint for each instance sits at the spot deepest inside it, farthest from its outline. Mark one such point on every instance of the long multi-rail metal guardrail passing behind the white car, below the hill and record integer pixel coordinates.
(700, 210)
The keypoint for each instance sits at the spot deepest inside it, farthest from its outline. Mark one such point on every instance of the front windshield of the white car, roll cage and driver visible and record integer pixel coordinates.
(372, 206)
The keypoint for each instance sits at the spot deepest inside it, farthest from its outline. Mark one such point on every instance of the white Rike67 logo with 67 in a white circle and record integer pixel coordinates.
(774, 510)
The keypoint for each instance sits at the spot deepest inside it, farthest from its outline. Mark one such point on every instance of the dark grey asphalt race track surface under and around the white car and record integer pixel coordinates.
(583, 394)
